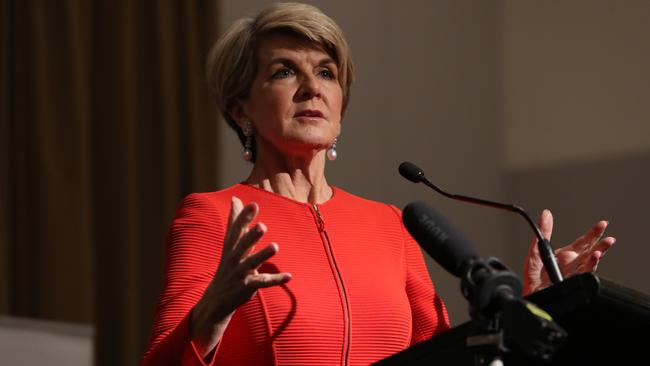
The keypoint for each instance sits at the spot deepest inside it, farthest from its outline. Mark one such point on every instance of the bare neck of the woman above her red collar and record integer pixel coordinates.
(301, 179)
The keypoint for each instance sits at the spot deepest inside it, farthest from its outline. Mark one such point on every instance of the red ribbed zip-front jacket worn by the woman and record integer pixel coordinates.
(360, 290)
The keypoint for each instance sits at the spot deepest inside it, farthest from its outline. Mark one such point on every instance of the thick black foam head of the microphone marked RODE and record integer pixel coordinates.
(437, 237)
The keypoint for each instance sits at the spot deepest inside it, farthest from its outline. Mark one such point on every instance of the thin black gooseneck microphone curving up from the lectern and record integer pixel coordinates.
(413, 173)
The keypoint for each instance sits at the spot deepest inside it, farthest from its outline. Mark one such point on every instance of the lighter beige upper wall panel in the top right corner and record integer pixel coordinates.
(577, 80)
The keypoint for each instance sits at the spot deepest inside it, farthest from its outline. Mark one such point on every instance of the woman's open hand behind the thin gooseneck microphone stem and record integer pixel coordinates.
(580, 256)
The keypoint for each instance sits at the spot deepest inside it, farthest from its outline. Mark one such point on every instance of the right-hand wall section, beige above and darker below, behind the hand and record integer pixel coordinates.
(576, 87)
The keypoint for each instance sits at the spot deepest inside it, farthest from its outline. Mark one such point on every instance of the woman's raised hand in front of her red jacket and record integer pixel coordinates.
(236, 279)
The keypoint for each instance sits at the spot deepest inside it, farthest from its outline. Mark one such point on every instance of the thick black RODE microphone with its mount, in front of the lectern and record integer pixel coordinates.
(493, 291)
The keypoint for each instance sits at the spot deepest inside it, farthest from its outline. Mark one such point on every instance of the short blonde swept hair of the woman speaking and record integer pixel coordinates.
(231, 64)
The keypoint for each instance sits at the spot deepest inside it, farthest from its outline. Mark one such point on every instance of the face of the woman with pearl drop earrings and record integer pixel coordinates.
(295, 101)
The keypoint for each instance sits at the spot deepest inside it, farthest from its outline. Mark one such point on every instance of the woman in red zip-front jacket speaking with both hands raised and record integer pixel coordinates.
(349, 285)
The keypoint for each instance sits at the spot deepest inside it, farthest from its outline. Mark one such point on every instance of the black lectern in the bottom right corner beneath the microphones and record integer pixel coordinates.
(607, 324)
